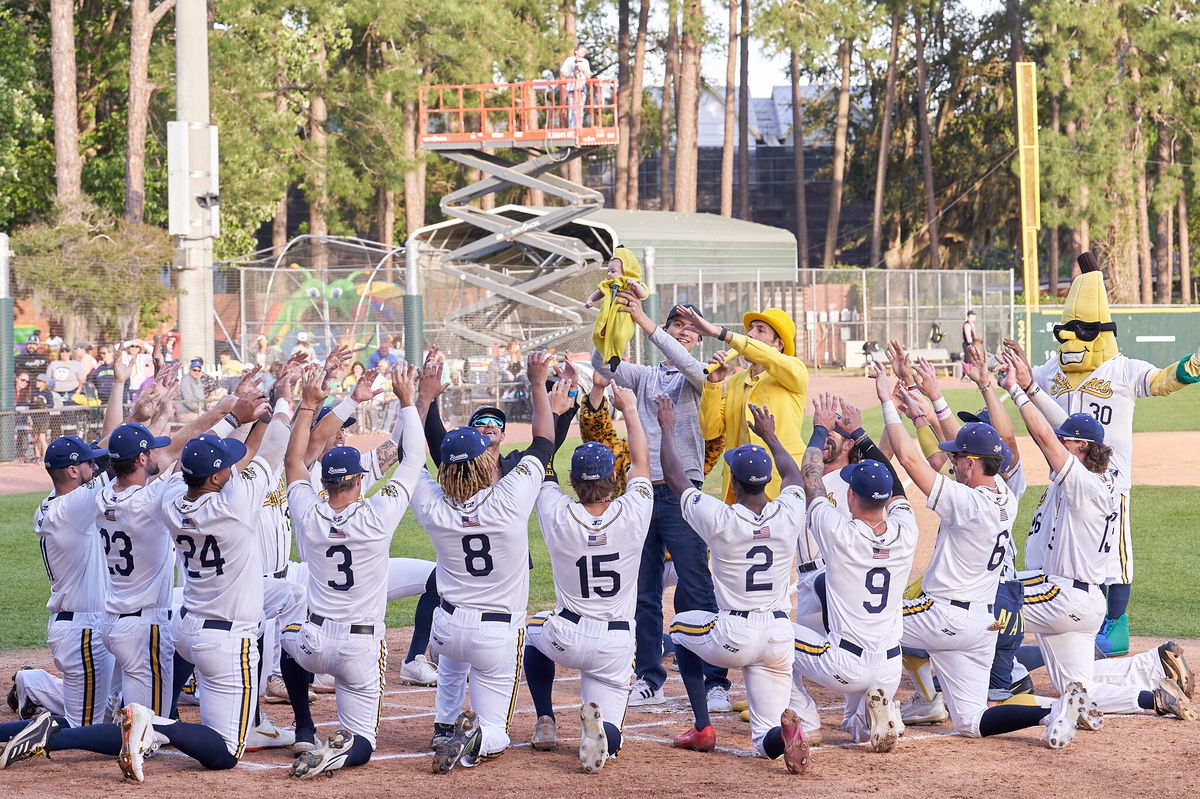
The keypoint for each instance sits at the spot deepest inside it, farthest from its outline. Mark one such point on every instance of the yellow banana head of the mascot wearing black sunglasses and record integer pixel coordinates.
(1087, 334)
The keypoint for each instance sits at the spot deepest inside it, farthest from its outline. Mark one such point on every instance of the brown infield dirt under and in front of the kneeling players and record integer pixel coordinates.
(1132, 756)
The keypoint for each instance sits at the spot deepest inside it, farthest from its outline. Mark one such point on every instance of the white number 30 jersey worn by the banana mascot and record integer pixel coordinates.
(1109, 397)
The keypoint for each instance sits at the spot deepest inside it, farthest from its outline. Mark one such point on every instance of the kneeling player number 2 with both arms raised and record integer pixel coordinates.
(754, 544)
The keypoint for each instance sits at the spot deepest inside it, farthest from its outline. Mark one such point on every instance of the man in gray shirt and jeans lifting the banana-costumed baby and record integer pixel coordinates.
(682, 379)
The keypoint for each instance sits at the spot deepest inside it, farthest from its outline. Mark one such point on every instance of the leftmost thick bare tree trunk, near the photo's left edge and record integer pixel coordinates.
(68, 163)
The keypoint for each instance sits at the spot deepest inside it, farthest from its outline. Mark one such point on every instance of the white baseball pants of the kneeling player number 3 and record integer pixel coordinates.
(357, 662)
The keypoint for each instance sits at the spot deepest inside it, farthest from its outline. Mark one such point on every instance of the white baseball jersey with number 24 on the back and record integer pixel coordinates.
(219, 548)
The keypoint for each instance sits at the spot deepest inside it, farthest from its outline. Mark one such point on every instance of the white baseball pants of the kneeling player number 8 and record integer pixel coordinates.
(488, 647)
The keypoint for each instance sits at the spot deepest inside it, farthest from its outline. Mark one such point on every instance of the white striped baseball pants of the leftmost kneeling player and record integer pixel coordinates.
(87, 666)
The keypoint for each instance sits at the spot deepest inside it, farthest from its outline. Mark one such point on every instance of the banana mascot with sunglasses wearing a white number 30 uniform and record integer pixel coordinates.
(1090, 375)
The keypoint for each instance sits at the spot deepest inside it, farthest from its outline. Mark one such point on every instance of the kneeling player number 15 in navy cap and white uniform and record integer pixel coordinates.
(596, 549)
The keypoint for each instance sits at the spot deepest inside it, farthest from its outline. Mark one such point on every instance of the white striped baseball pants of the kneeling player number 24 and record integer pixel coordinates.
(226, 659)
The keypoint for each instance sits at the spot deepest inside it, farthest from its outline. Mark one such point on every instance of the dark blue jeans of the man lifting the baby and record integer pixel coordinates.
(689, 554)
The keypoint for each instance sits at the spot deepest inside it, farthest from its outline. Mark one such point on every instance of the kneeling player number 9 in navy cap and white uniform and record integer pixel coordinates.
(868, 560)
